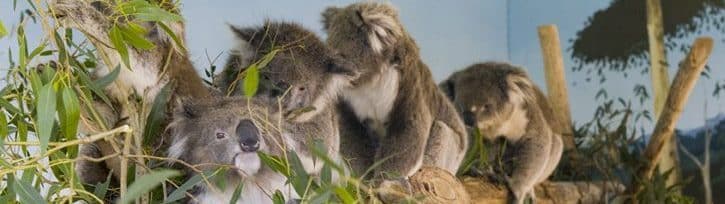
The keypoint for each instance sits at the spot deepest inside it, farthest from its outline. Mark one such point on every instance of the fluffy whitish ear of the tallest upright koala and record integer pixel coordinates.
(382, 24)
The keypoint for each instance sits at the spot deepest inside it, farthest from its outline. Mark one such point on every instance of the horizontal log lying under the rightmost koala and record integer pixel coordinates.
(482, 191)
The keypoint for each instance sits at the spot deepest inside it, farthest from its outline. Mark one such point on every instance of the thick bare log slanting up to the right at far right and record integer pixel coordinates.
(680, 89)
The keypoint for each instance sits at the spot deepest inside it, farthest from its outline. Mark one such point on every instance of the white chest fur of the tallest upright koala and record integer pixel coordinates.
(375, 99)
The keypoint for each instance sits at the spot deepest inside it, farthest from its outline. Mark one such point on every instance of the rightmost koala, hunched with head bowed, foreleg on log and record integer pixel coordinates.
(502, 102)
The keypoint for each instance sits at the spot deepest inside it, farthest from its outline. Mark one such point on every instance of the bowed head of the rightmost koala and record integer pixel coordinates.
(486, 95)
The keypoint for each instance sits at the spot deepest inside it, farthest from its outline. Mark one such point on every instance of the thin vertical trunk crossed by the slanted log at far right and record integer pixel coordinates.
(660, 84)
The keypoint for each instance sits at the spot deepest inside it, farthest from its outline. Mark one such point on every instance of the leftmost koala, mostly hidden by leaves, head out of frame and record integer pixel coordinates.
(150, 71)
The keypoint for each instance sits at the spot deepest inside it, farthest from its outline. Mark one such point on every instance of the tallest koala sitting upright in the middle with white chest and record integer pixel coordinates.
(394, 97)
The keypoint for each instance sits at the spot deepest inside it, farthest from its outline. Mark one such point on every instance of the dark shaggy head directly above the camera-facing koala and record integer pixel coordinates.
(304, 73)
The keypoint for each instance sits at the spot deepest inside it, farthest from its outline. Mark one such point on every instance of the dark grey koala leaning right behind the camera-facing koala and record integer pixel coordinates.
(304, 73)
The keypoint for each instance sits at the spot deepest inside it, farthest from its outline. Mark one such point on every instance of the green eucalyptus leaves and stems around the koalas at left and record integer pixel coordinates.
(41, 106)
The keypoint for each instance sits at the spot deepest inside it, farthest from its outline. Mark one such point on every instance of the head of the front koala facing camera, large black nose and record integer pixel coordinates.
(223, 132)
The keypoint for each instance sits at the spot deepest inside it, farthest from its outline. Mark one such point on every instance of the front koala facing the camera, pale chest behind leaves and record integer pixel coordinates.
(230, 132)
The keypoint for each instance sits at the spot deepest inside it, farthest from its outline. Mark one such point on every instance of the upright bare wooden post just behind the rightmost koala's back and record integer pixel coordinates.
(556, 83)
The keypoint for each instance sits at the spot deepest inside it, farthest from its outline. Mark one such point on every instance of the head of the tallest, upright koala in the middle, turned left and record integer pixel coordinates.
(370, 35)
